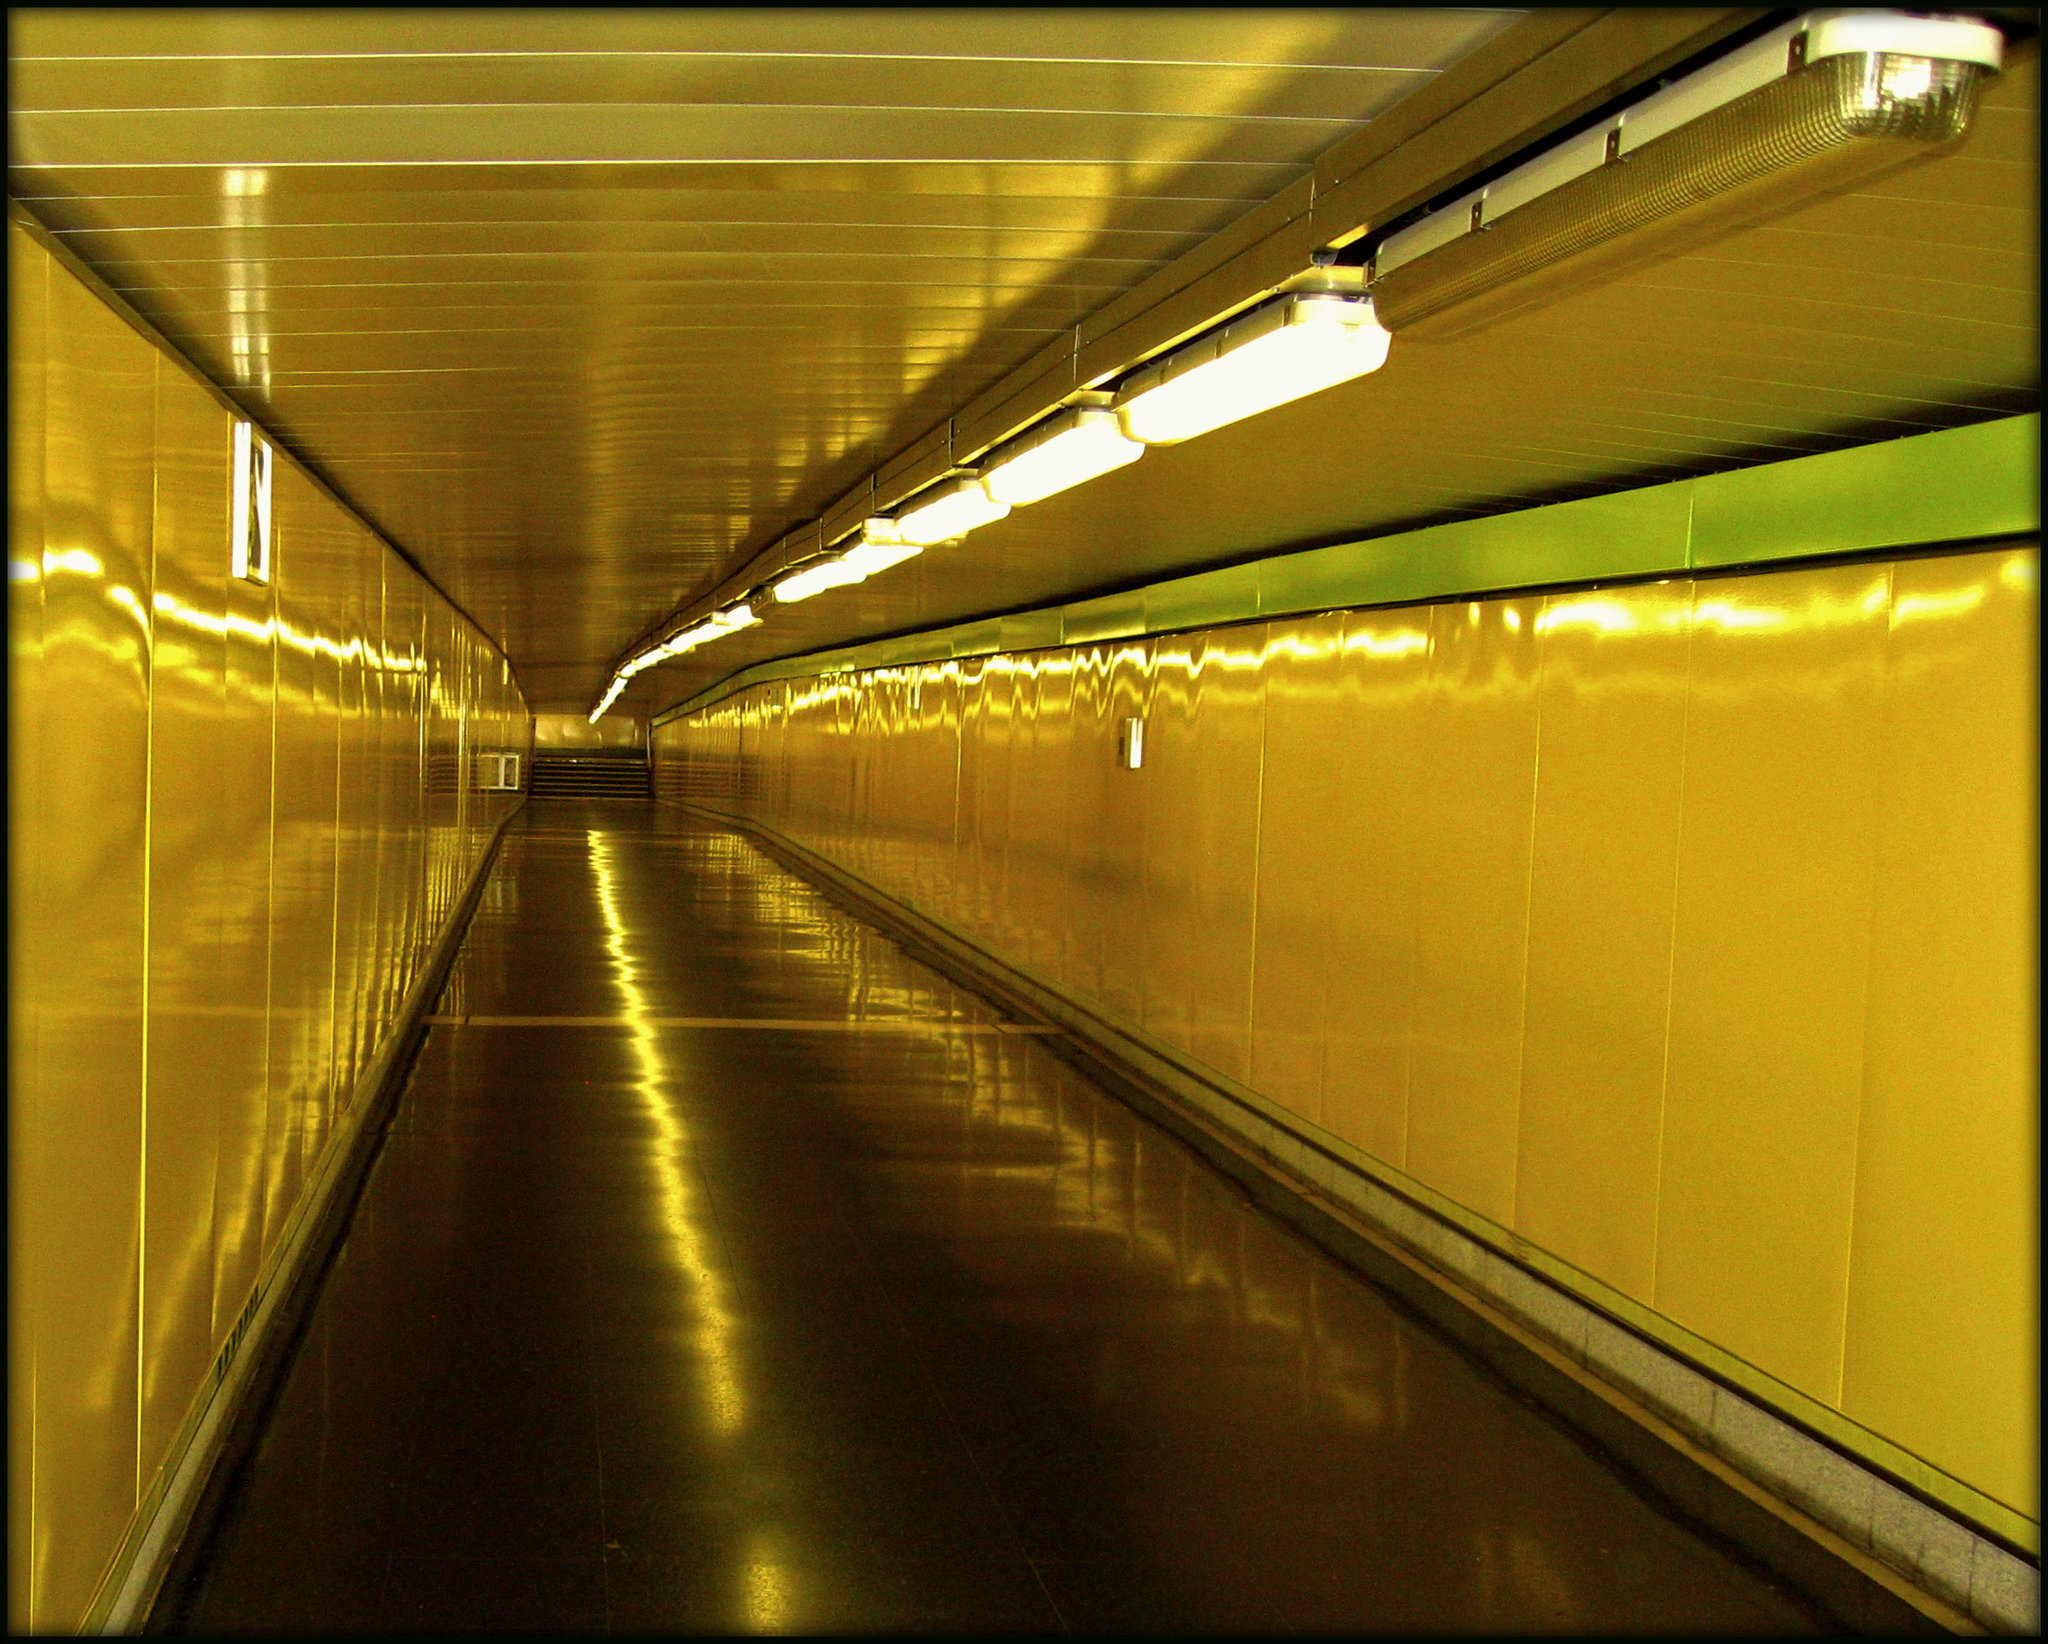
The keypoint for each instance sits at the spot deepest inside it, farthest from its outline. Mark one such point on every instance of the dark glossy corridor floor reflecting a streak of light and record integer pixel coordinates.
(880, 1324)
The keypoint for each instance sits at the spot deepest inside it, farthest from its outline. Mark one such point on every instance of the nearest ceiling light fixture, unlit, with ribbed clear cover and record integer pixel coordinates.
(1818, 105)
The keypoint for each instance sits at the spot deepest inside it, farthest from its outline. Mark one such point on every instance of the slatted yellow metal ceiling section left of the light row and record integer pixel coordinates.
(583, 308)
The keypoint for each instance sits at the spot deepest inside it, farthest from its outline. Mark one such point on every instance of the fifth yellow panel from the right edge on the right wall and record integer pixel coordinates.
(1379, 769)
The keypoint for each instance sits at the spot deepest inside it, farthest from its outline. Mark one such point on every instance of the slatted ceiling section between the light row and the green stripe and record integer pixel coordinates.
(1902, 306)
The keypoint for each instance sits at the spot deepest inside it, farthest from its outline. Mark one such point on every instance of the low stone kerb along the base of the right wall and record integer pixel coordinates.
(1869, 1551)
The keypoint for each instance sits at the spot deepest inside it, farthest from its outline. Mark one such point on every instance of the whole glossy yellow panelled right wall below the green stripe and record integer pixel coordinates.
(1682, 931)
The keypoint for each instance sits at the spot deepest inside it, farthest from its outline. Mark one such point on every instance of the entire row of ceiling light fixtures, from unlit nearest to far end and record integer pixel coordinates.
(1826, 101)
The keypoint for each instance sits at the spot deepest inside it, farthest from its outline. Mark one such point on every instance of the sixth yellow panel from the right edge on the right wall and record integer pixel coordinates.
(1302, 808)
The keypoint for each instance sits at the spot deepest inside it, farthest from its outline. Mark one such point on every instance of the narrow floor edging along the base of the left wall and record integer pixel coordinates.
(200, 1467)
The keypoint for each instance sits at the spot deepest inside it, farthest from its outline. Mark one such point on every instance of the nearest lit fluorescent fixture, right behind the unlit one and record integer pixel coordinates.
(1277, 353)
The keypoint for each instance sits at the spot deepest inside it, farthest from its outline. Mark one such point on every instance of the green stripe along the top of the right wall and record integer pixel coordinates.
(1957, 486)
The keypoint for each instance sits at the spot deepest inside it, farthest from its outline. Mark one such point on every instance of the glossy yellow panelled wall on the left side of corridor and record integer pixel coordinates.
(232, 849)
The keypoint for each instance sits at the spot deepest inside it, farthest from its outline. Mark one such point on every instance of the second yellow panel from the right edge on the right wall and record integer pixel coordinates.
(1770, 965)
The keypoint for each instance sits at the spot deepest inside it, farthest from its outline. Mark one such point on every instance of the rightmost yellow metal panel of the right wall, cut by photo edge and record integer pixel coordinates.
(1945, 1260)
